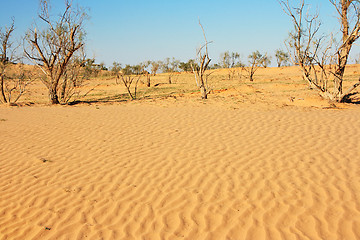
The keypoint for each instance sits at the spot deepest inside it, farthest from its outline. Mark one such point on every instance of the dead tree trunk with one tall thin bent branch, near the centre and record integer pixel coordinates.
(202, 63)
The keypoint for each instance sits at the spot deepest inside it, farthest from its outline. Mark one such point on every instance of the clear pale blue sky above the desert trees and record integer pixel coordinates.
(133, 31)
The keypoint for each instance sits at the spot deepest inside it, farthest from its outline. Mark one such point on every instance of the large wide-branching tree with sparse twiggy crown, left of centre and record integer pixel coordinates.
(53, 48)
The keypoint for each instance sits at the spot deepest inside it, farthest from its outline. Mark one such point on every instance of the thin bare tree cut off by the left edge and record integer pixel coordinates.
(12, 86)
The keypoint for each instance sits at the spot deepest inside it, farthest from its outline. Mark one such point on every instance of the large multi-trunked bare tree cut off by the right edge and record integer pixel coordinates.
(310, 51)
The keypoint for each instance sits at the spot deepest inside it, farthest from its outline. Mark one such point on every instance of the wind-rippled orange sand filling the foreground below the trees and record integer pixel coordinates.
(179, 171)
